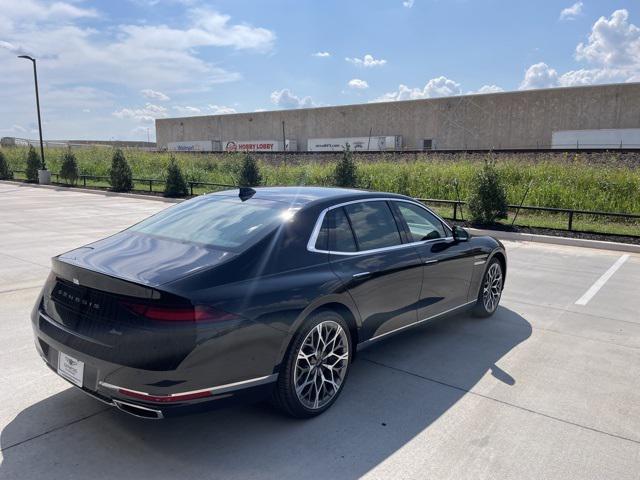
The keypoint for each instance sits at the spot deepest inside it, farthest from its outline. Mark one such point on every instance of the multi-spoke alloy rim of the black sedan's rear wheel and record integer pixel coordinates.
(321, 364)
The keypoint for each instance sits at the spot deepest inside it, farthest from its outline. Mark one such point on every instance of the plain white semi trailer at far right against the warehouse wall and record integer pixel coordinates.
(603, 138)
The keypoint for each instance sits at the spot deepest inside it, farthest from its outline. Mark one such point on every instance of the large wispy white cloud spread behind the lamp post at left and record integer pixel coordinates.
(78, 49)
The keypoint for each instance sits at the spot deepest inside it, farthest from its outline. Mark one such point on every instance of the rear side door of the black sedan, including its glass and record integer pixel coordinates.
(383, 275)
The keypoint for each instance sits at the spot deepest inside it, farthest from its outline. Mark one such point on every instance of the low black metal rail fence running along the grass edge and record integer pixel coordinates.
(633, 220)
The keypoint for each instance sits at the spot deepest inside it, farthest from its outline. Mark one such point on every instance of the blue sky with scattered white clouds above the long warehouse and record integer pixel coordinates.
(109, 68)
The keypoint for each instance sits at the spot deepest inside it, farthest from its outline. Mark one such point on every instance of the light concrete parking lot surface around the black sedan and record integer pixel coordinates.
(546, 388)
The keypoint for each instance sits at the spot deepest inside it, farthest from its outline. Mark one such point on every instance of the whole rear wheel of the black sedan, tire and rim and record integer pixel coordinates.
(315, 367)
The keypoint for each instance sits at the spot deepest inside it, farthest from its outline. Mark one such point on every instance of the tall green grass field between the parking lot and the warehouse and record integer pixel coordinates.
(573, 182)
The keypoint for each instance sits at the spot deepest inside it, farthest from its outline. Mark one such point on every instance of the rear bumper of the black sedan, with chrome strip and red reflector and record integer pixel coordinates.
(156, 394)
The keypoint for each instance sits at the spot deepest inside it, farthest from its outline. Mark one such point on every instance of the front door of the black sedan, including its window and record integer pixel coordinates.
(448, 263)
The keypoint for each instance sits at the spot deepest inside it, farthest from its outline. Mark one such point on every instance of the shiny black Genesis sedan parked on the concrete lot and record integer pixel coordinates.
(253, 294)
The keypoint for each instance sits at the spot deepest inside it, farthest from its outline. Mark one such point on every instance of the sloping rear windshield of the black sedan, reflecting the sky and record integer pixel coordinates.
(217, 221)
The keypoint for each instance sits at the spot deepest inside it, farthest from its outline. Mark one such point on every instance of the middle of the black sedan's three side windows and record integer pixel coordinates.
(373, 225)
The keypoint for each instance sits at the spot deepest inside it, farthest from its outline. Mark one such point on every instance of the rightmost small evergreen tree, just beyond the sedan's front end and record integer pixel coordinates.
(488, 199)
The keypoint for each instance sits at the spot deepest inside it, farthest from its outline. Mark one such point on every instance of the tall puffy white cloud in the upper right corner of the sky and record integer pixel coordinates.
(612, 42)
